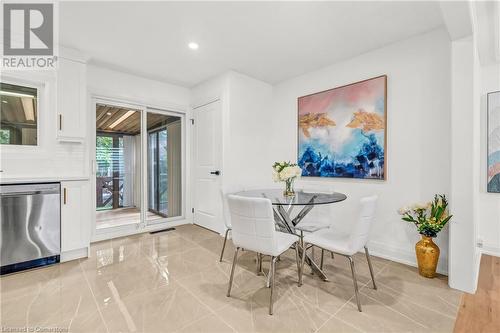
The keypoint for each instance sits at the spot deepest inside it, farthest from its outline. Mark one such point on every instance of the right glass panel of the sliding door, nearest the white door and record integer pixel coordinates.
(164, 166)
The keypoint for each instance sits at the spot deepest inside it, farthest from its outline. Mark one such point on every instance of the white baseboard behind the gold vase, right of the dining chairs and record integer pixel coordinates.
(401, 255)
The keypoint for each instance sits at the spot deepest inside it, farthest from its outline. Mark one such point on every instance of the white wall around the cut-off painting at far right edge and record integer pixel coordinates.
(489, 203)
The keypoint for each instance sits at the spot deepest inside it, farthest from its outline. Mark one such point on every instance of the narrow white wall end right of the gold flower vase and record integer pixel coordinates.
(463, 263)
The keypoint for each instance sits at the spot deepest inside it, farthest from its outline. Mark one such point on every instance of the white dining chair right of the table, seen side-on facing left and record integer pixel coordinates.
(347, 244)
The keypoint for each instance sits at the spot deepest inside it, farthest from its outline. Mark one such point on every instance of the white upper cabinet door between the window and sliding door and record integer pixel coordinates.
(71, 98)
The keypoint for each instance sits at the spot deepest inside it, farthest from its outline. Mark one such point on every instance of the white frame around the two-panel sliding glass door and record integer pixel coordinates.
(131, 229)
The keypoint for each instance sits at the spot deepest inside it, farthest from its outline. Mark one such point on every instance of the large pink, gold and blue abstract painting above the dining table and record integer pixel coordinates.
(342, 131)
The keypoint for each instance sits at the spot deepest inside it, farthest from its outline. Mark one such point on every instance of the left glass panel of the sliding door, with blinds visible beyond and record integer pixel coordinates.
(118, 167)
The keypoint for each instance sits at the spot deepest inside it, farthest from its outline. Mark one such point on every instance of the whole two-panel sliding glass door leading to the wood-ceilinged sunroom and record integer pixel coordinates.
(139, 166)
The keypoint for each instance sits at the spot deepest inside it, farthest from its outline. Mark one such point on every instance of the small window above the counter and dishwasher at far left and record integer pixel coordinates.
(19, 115)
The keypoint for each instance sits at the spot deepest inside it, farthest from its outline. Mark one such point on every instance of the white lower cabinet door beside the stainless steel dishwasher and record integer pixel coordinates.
(75, 215)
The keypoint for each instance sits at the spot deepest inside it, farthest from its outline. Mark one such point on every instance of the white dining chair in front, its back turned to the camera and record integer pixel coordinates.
(253, 228)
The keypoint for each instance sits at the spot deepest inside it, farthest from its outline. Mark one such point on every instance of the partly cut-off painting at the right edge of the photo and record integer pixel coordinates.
(493, 106)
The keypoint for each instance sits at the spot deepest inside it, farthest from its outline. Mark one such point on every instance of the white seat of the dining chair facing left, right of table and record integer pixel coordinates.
(331, 240)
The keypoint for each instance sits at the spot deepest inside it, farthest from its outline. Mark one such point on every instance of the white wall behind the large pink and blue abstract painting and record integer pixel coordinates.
(418, 137)
